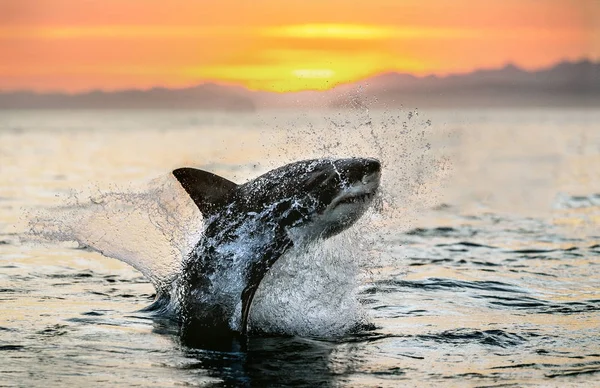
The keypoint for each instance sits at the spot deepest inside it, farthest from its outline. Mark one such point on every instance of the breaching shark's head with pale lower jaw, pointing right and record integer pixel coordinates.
(318, 197)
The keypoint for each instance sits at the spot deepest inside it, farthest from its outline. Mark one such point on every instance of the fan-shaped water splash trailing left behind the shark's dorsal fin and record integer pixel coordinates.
(152, 227)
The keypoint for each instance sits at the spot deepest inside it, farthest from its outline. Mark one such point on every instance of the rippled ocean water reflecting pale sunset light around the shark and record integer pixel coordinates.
(478, 266)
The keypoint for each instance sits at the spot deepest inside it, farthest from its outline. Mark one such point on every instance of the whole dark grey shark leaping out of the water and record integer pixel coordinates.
(249, 226)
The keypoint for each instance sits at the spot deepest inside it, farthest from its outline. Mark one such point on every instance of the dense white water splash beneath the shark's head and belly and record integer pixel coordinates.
(312, 291)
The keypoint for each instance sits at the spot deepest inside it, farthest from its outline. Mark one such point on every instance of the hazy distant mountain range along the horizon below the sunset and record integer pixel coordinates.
(565, 84)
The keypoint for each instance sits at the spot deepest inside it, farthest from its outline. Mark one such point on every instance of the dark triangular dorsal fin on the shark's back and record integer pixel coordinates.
(208, 191)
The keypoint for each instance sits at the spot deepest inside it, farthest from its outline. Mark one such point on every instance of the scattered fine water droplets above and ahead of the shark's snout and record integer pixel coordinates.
(416, 163)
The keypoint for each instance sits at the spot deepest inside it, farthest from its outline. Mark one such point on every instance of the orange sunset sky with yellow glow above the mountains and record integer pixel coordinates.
(281, 45)
